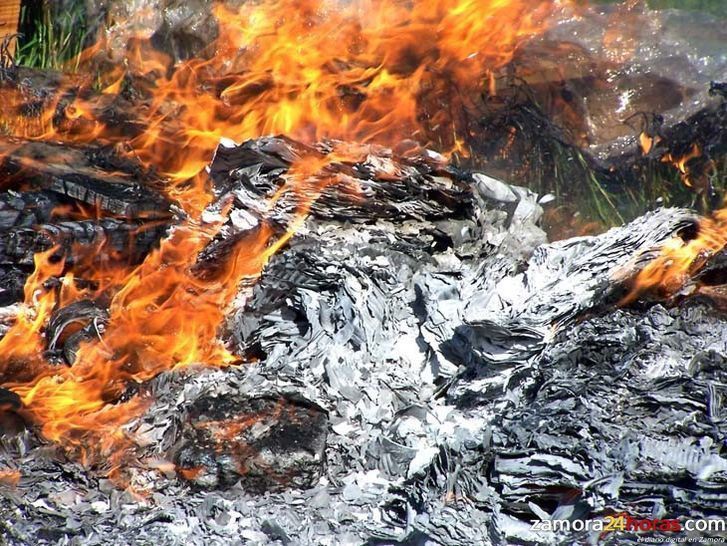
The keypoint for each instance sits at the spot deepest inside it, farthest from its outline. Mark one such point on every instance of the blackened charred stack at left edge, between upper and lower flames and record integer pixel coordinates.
(50, 193)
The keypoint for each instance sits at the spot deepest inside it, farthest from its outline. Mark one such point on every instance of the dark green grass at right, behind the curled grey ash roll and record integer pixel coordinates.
(592, 196)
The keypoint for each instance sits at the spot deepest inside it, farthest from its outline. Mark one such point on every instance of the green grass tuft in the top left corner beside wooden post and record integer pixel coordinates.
(55, 37)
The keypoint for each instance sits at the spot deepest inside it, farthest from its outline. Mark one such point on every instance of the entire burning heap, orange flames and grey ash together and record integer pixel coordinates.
(357, 330)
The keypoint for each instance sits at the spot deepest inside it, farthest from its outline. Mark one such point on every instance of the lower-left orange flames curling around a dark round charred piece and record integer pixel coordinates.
(162, 317)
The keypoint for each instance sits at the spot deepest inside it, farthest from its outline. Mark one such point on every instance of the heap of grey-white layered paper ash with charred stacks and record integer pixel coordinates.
(423, 367)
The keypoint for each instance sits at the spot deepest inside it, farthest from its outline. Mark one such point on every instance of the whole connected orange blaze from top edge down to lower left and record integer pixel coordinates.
(365, 70)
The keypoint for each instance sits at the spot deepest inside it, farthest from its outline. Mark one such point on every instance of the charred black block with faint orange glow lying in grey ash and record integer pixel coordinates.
(267, 443)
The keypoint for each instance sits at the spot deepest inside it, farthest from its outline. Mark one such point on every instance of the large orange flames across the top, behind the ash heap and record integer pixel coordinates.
(366, 70)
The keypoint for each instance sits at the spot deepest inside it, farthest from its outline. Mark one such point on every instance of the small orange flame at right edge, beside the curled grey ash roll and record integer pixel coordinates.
(679, 260)
